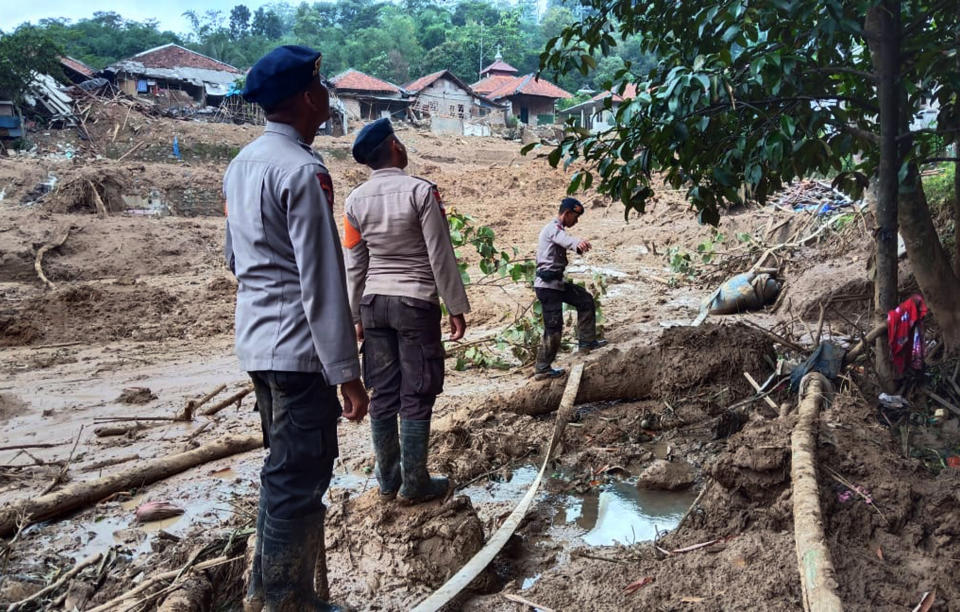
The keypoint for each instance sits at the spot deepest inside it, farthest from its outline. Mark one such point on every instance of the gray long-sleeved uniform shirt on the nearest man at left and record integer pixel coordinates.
(292, 308)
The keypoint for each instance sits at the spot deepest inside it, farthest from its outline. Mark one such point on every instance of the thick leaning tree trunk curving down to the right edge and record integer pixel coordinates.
(929, 260)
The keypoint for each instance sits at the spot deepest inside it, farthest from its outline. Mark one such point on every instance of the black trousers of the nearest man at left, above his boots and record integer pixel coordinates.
(298, 415)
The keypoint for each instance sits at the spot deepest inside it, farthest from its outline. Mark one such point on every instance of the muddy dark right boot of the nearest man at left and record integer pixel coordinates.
(289, 558)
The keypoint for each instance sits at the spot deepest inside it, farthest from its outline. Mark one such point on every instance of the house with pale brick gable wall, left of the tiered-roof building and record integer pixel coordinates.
(442, 96)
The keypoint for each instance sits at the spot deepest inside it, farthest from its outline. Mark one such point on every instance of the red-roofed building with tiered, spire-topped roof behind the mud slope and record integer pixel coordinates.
(532, 100)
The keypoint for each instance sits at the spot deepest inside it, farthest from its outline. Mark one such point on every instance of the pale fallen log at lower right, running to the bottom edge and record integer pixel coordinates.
(818, 578)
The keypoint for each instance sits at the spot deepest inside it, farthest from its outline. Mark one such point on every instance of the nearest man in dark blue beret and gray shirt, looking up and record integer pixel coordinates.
(295, 335)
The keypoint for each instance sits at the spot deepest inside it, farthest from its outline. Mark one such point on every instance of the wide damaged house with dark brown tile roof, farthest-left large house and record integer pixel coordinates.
(176, 74)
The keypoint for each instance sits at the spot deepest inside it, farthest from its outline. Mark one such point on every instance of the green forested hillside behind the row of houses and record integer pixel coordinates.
(396, 41)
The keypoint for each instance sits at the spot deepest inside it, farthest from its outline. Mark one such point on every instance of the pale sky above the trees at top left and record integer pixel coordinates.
(168, 12)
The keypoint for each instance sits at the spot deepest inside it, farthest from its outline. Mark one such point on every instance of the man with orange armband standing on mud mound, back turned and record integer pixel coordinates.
(400, 262)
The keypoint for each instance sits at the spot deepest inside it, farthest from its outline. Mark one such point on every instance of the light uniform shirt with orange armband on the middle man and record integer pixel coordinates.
(397, 242)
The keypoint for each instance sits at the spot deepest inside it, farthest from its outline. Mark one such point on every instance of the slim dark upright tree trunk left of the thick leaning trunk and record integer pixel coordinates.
(882, 29)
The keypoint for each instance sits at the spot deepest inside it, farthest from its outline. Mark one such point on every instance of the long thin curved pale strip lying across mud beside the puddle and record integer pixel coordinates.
(482, 559)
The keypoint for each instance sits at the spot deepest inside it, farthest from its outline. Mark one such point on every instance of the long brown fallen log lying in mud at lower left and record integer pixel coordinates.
(82, 494)
